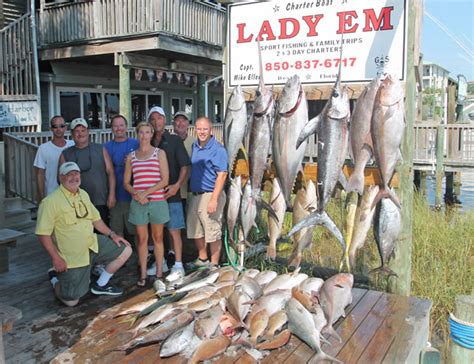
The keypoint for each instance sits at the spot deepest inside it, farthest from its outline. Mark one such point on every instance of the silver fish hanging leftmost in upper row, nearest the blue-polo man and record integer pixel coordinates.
(235, 124)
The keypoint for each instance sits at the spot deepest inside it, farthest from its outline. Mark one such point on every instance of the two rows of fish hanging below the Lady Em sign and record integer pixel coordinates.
(281, 128)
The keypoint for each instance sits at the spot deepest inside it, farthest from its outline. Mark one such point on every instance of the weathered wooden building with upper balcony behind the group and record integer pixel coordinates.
(97, 58)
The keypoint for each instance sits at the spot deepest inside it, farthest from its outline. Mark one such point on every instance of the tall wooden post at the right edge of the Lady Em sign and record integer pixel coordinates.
(401, 263)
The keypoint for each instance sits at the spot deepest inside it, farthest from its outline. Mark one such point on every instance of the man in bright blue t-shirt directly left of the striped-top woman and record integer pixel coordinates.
(118, 149)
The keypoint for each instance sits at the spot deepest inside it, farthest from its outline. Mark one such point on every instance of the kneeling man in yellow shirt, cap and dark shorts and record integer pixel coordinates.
(69, 215)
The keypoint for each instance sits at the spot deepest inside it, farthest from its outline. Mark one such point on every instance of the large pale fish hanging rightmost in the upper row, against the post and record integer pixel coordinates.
(387, 127)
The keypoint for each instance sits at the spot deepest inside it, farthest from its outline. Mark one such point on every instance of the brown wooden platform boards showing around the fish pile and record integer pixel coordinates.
(378, 328)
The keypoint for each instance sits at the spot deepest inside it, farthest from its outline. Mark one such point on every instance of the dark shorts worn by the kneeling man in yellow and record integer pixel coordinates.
(74, 283)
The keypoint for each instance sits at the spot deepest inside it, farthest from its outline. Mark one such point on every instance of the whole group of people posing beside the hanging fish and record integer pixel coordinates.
(93, 196)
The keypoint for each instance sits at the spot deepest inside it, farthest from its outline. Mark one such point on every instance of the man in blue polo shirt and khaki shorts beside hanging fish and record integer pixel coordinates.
(207, 180)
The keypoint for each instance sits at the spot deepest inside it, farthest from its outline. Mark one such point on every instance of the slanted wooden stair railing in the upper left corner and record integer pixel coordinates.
(17, 67)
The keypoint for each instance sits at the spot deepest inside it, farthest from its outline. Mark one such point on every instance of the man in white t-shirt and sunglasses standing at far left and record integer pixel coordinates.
(47, 157)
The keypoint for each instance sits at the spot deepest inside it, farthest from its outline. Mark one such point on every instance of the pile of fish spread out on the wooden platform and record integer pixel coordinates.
(221, 310)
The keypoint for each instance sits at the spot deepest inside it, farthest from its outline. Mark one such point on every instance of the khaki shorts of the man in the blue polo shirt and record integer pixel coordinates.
(201, 224)
